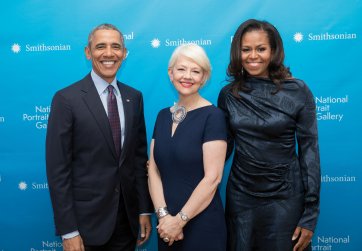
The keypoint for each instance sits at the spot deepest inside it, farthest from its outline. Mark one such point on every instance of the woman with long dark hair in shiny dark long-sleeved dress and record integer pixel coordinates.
(272, 197)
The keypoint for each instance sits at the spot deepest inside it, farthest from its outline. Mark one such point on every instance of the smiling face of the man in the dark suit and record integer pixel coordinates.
(106, 52)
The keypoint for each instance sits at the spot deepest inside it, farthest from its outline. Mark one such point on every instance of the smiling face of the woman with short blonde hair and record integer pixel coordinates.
(186, 76)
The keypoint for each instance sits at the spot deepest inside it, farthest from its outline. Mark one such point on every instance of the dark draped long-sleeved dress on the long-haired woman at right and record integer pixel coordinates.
(274, 180)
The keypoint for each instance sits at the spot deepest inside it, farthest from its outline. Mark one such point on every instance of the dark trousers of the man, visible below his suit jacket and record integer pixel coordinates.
(122, 238)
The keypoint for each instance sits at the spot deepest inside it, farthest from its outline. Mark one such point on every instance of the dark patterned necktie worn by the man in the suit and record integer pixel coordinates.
(113, 117)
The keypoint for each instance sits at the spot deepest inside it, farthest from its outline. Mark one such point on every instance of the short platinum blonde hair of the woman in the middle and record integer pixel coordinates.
(194, 52)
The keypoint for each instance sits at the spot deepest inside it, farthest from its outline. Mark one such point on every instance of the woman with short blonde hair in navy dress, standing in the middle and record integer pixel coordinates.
(187, 157)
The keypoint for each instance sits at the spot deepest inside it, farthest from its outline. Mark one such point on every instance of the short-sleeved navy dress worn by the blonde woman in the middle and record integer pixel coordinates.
(179, 159)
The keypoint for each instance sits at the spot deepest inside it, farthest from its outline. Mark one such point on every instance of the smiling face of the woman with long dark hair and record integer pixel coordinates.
(256, 53)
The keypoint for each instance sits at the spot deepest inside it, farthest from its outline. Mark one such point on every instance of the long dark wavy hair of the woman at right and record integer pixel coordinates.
(277, 71)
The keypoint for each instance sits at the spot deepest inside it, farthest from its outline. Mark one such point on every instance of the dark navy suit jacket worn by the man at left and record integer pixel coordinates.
(84, 175)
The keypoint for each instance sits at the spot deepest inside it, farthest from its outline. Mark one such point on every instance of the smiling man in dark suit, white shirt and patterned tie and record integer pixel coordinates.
(96, 153)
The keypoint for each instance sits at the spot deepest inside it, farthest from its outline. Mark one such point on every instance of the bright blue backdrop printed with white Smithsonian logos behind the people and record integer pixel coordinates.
(42, 50)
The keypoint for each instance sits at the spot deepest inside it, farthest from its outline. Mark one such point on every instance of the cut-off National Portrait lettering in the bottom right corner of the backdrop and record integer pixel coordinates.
(331, 243)
